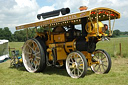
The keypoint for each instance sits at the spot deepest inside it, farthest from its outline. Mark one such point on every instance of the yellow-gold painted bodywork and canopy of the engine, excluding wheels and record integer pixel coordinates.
(57, 40)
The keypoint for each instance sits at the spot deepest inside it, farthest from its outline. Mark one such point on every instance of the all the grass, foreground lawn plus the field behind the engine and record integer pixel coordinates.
(118, 74)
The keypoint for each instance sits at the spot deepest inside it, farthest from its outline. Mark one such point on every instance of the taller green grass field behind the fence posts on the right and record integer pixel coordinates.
(113, 46)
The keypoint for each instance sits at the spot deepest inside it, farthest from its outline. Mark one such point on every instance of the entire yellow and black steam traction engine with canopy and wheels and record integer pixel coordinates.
(62, 44)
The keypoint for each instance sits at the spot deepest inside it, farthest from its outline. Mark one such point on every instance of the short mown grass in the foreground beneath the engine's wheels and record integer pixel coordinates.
(54, 76)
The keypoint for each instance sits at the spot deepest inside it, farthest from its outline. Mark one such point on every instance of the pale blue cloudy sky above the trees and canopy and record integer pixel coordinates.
(18, 12)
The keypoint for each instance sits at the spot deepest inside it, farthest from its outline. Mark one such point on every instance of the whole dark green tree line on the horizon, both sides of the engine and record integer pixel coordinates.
(20, 36)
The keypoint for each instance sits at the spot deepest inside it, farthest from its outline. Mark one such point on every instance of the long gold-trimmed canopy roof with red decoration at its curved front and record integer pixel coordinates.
(75, 18)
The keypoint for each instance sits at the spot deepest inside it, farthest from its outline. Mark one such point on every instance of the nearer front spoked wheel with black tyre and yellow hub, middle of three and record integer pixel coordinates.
(76, 64)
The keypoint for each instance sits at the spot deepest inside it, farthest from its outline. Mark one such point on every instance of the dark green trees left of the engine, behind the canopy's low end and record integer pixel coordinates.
(17, 36)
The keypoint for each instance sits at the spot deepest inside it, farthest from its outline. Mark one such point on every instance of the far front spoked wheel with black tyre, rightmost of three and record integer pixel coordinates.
(104, 62)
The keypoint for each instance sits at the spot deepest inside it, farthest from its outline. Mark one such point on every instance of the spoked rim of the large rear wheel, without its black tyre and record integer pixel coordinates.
(31, 56)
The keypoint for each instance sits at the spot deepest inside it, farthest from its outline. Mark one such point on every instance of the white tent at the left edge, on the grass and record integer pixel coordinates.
(4, 52)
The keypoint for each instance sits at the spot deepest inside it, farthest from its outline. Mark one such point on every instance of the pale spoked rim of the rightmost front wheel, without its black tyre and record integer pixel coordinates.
(103, 63)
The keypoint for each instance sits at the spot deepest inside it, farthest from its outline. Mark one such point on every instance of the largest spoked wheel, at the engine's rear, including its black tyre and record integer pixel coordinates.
(33, 56)
